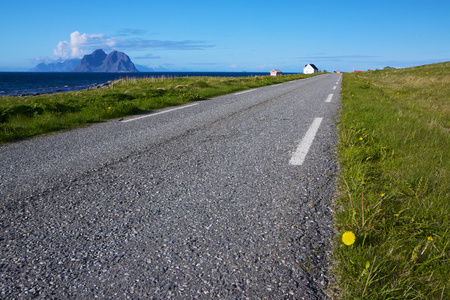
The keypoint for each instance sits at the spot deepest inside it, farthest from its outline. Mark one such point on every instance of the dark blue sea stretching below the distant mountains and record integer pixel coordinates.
(23, 83)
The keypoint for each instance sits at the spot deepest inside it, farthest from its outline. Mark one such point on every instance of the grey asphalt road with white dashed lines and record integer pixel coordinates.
(202, 201)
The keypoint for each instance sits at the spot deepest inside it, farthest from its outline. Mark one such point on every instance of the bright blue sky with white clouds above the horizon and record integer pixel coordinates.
(230, 35)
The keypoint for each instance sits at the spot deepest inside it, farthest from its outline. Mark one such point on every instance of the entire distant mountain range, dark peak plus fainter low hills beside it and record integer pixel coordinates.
(98, 61)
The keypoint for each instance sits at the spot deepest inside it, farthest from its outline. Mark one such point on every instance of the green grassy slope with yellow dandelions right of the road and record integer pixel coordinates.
(394, 156)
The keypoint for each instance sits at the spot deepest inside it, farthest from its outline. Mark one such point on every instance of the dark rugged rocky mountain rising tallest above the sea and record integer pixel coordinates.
(99, 61)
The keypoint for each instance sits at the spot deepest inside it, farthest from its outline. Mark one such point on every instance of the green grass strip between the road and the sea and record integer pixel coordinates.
(25, 117)
